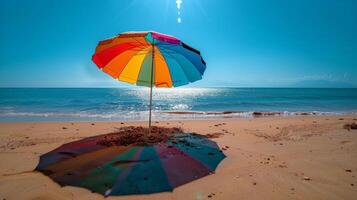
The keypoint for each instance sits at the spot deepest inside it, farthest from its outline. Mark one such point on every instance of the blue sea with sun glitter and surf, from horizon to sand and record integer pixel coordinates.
(112, 104)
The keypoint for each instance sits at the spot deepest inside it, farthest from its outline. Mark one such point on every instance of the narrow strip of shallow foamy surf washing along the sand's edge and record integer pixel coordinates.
(163, 116)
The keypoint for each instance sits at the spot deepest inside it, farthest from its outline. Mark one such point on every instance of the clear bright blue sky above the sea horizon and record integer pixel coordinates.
(256, 43)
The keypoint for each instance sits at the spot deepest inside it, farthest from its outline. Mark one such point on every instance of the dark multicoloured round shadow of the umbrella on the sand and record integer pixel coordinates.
(105, 164)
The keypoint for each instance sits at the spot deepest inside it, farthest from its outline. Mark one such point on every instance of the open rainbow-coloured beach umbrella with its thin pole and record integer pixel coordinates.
(149, 59)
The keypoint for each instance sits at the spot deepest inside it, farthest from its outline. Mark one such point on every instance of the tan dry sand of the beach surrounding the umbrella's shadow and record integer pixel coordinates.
(300, 157)
